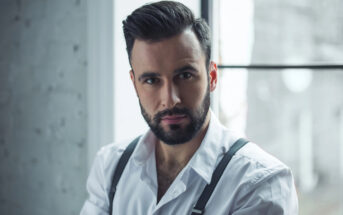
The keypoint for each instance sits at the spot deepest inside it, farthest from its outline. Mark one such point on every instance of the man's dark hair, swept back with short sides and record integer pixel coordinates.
(162, 20)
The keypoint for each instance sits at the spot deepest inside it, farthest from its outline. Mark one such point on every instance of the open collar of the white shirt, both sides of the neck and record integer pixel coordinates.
(205, 158)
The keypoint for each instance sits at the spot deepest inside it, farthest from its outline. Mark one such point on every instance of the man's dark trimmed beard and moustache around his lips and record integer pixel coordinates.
(178, 134)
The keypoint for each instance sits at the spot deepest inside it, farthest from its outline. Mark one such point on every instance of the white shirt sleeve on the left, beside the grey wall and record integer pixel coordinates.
(97, 201)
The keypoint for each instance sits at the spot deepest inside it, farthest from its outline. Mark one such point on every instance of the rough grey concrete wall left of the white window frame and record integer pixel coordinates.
(43, 153)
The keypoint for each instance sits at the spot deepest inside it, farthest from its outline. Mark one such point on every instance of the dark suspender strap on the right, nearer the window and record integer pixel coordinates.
(218, 172)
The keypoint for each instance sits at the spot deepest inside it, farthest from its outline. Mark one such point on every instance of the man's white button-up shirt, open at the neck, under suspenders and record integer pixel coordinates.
(254, 182)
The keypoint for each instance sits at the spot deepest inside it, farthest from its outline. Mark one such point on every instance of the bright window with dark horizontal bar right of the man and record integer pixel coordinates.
(281, 71)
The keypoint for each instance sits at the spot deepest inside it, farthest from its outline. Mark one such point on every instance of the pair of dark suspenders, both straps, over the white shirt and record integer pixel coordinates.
(206, 193)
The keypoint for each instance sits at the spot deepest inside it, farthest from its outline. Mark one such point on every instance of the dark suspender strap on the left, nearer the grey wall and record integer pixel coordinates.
(119, 170)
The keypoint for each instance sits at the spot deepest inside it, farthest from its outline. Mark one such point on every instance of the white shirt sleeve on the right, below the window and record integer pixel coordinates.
(269, 193)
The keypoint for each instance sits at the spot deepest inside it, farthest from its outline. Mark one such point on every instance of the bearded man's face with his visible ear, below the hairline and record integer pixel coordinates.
(173, 85)
